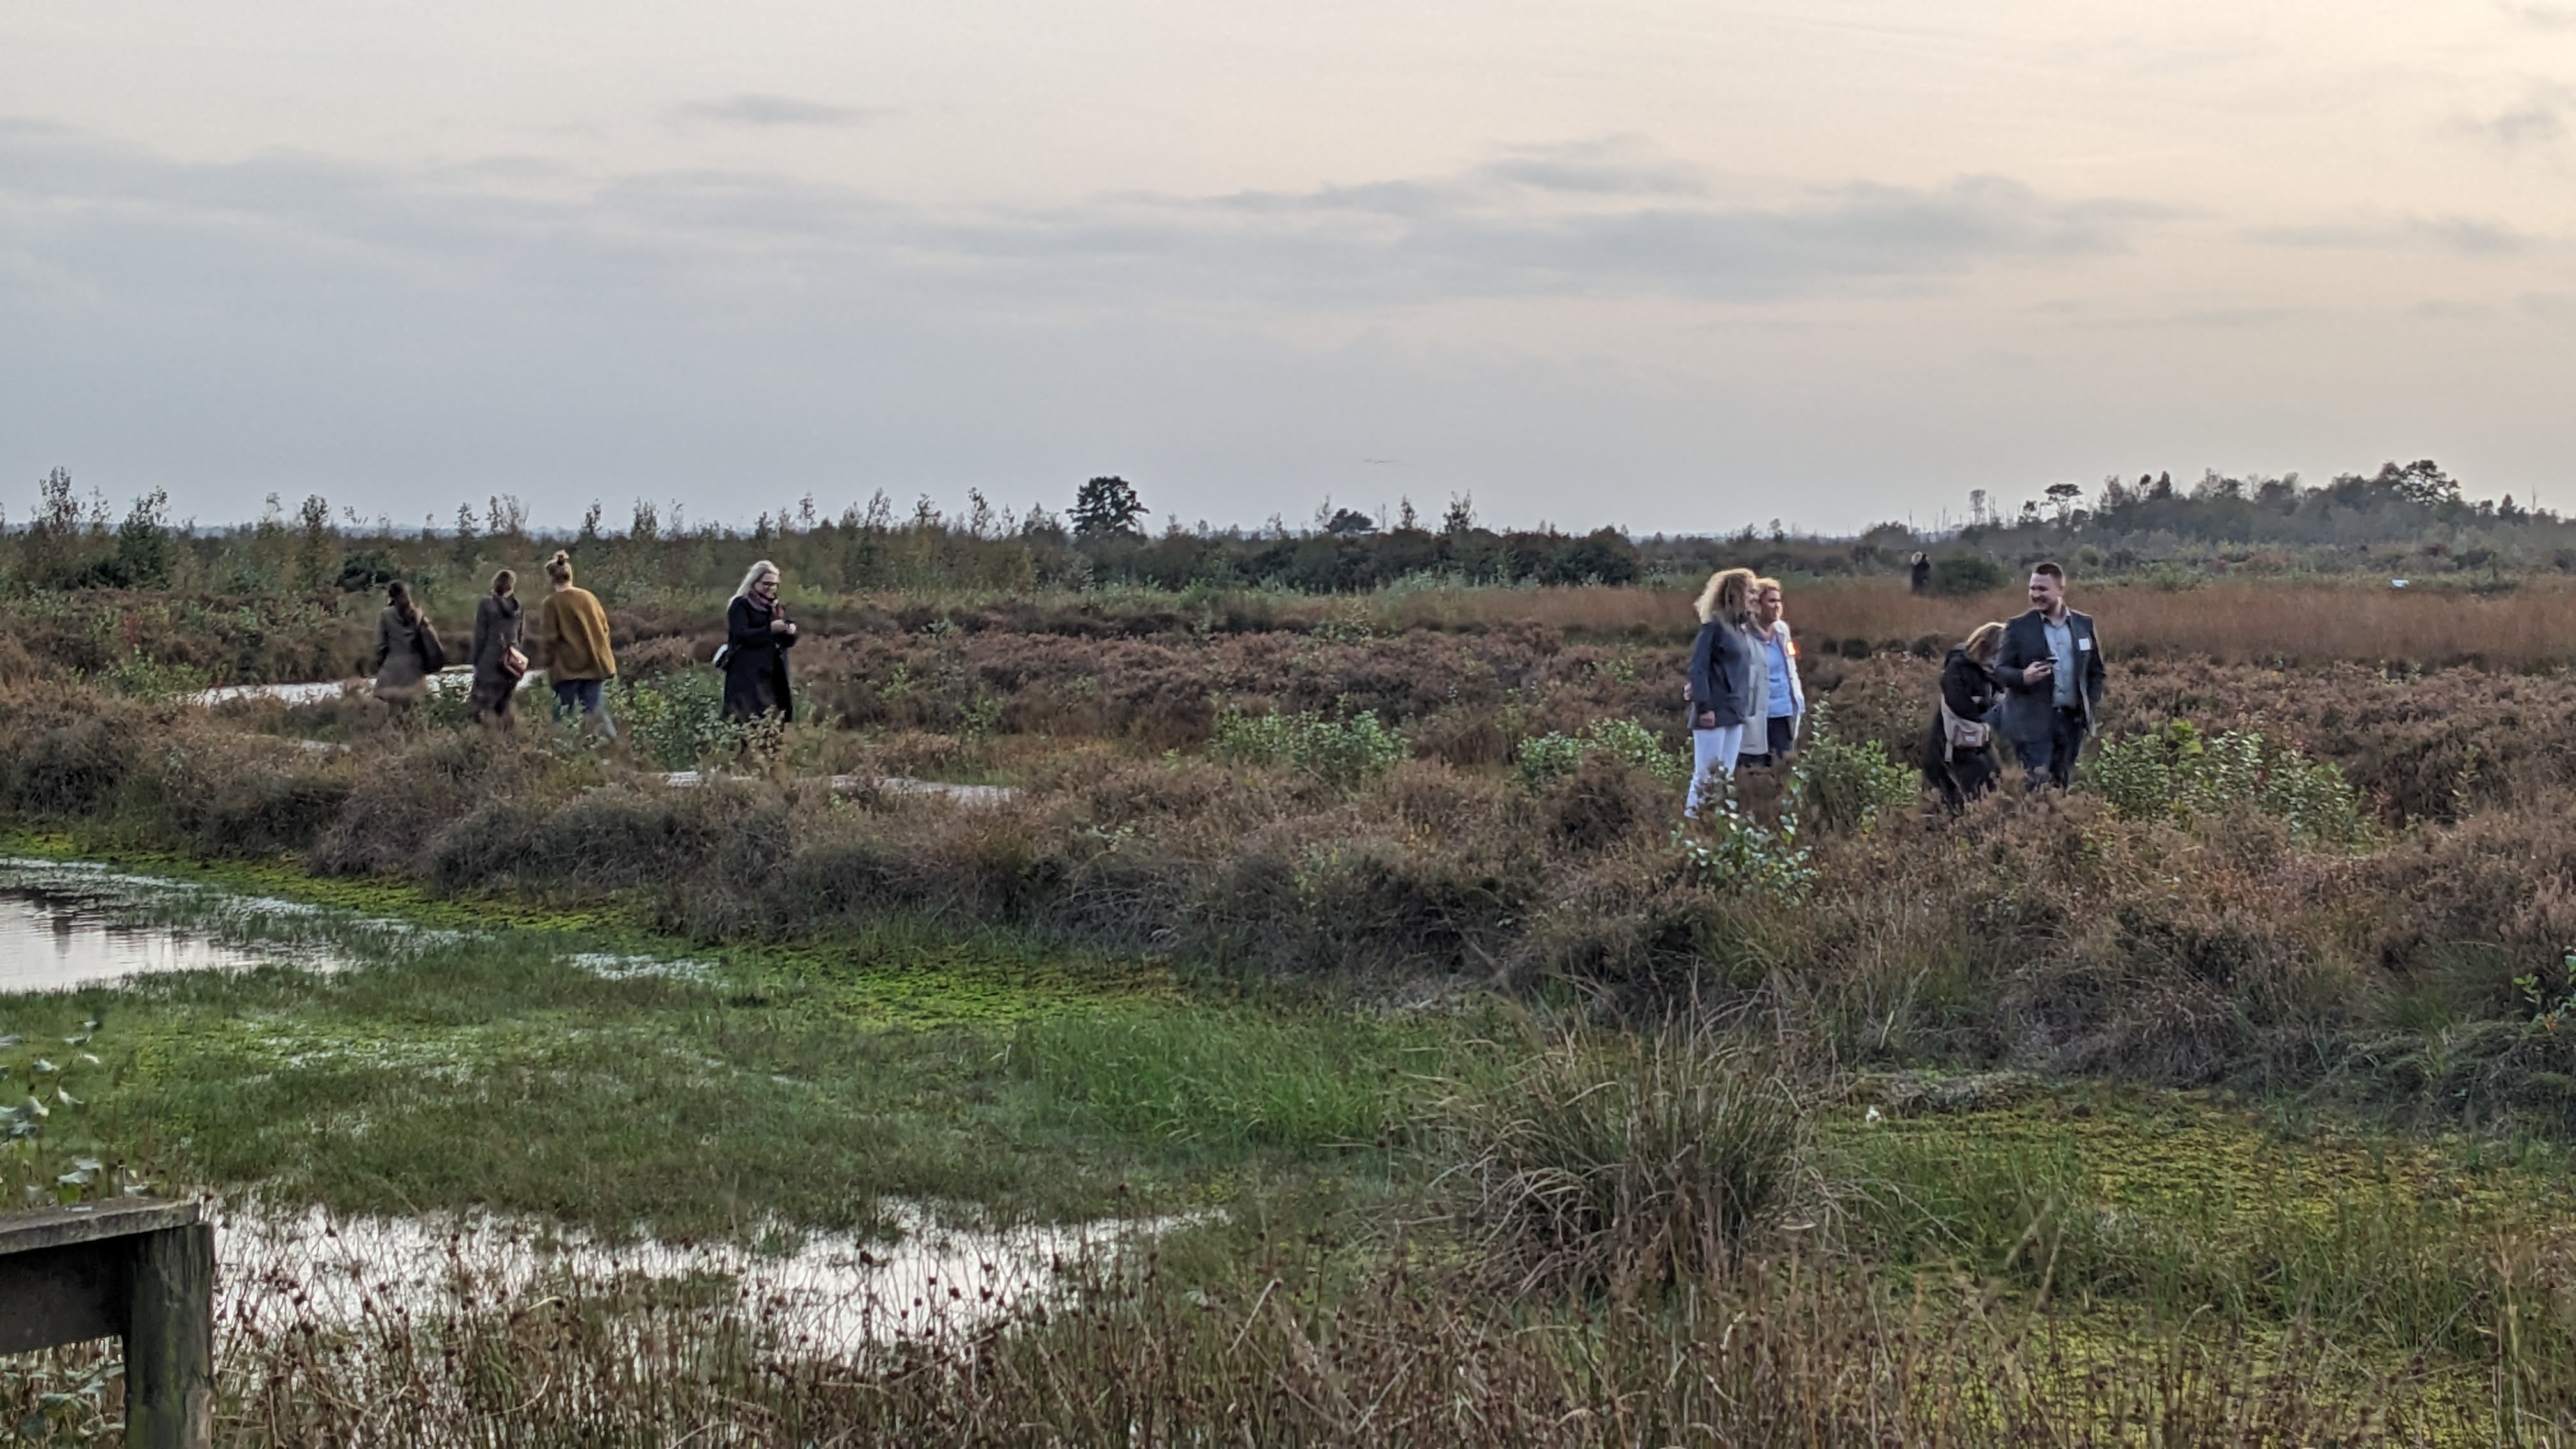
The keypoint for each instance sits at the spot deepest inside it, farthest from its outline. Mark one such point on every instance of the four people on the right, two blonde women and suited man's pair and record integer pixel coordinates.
(2034, 685)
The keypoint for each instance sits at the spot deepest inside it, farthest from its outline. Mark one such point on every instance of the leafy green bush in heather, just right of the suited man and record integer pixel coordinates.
(2183, 775)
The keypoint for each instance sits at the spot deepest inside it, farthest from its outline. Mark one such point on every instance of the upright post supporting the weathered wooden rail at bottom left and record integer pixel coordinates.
(171, 1339)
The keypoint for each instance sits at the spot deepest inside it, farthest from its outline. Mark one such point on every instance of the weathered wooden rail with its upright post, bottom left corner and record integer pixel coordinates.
(122, 1270)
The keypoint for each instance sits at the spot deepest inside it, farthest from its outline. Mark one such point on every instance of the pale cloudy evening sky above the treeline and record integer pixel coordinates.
(1658, 264)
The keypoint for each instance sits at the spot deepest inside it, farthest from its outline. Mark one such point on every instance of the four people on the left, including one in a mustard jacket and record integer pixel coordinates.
(576, 651)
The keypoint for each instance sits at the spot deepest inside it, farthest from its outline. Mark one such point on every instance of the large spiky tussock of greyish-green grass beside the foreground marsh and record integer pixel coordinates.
(1627, 1159)
